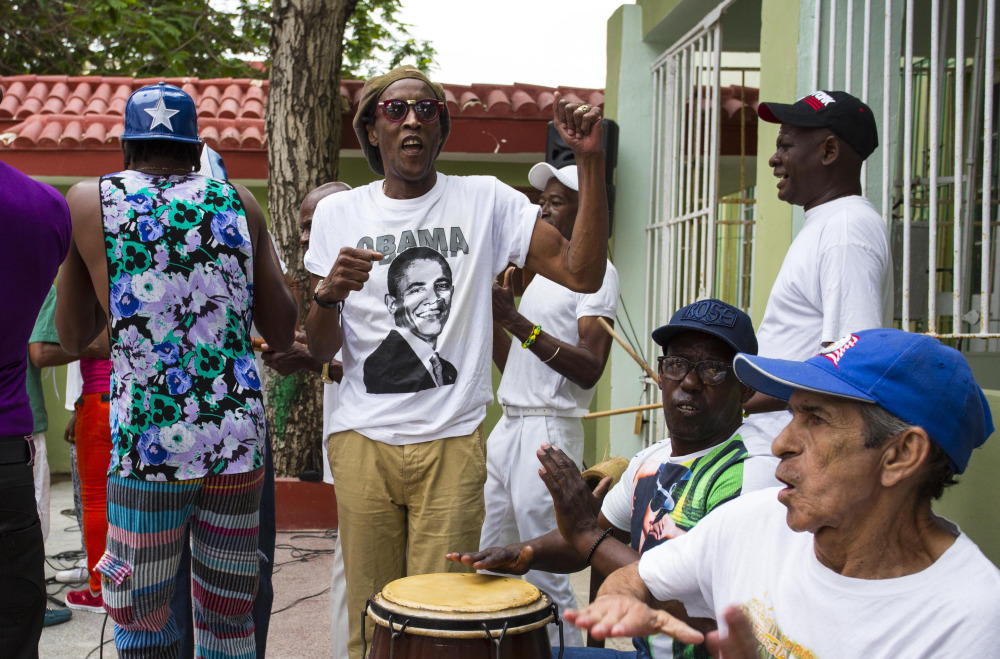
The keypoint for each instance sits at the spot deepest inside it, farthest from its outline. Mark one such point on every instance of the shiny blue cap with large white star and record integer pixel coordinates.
(161, 112)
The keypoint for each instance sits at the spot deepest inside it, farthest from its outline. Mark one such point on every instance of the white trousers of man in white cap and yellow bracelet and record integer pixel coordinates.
(519, 506)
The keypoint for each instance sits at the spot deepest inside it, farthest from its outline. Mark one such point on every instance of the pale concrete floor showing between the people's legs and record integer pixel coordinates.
(303, 630)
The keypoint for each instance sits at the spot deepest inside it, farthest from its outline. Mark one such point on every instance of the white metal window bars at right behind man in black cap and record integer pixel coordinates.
(941, 201)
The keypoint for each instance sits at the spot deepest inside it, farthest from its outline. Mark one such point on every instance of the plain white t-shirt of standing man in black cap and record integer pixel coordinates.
(836, 279)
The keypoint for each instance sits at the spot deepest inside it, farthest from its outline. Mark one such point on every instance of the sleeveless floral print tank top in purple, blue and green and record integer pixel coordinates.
(185, 394)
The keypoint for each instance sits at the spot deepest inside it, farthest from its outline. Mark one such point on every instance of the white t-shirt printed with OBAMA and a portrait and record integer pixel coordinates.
(479, 225)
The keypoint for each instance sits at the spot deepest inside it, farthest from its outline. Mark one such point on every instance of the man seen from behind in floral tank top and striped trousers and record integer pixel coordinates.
(173, 265)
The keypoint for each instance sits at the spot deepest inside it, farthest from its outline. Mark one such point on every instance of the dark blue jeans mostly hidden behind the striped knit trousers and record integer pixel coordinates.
(180, 605)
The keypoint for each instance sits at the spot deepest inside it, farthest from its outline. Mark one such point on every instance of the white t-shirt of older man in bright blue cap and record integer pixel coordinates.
(745, 554)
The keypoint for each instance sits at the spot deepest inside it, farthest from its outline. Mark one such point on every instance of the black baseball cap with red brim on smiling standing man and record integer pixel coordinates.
(847, 116)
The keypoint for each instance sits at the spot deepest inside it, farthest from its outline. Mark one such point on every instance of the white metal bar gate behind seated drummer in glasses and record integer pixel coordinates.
(683, 232)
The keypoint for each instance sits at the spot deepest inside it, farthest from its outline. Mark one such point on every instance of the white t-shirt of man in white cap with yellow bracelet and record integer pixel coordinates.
(527, 382)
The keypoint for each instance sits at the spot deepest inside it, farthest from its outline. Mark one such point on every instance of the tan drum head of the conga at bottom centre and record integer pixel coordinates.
(457, 592)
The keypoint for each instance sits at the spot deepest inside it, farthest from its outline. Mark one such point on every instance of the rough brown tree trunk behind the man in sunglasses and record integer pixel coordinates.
(303, 142)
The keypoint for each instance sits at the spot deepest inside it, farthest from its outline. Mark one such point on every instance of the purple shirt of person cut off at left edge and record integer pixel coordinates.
(34, 238)
